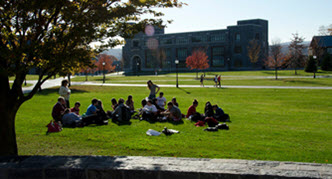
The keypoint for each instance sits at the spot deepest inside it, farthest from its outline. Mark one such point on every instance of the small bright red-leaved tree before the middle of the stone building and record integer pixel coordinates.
(197, 60)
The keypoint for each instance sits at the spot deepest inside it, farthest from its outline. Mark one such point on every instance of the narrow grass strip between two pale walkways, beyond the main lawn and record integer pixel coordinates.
(226, 80)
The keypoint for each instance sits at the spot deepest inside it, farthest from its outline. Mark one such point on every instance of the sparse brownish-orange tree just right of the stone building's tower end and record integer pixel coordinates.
(276, 57)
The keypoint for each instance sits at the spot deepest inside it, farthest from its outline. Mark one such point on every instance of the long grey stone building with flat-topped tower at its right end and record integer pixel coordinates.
(227, 49)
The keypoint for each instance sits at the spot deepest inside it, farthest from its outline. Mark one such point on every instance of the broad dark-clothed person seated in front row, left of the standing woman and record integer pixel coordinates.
(121, 112)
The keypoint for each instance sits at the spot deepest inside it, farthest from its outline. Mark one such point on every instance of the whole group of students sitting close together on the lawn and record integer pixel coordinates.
(152, 110)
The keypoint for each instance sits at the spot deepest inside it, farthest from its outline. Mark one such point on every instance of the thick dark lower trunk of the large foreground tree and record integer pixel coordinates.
(7, 131)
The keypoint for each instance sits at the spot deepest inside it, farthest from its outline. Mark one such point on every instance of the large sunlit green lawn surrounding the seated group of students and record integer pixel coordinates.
(267, 124)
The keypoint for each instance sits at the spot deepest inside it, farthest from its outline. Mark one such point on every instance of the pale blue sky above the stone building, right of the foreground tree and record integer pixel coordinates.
(285, 16)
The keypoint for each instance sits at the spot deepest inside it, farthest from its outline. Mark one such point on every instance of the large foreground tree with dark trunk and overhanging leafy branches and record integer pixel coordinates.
(54, 36)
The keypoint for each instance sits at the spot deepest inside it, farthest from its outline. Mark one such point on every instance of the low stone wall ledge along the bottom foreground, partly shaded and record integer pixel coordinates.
(154, 167)
